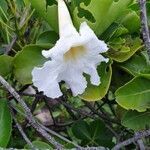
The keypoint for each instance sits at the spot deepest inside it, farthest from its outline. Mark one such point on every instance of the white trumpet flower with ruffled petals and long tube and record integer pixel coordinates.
(75, 53)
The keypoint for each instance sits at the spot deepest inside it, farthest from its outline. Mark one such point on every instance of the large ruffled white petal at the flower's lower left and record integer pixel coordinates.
(45, 79)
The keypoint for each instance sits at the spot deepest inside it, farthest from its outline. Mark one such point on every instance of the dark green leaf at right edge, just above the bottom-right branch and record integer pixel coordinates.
(136, 120)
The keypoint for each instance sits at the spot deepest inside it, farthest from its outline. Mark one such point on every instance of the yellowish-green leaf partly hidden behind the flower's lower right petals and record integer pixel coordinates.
(94, 93)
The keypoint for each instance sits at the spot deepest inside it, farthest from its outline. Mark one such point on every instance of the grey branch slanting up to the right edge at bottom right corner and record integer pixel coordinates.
(137, 137)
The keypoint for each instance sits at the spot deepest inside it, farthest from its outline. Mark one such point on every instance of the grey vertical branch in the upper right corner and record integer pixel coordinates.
(144, 25)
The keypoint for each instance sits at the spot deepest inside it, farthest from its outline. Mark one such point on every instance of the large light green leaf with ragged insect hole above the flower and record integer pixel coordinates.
(102, 13)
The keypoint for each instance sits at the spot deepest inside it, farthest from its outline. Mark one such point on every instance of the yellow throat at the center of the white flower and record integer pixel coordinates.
(74, 53)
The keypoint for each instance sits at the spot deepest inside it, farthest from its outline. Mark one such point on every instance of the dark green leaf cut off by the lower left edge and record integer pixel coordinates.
(5, 123)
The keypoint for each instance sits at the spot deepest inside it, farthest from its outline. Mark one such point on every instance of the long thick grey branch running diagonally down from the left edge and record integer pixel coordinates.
(29, 115)
